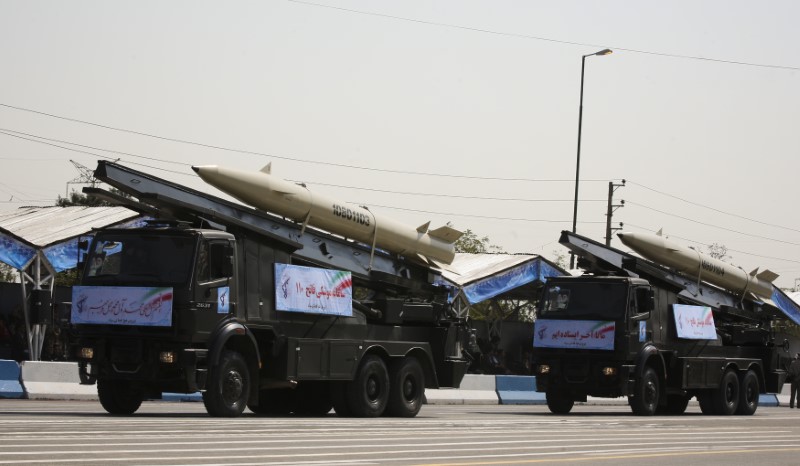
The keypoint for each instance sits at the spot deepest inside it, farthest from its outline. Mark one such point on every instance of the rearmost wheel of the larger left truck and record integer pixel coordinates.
(406, 389)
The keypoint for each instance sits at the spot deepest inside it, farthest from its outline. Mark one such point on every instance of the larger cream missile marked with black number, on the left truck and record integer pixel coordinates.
(264, 191)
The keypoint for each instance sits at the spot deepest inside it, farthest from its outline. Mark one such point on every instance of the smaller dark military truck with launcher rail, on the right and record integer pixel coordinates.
(632, 328)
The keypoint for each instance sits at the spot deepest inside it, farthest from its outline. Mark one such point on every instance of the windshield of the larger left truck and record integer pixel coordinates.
(151, 259)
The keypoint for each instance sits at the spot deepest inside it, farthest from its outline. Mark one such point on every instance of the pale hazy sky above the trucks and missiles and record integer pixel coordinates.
(450, 111)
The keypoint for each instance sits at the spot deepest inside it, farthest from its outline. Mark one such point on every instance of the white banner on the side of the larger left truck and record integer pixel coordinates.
(313, 290)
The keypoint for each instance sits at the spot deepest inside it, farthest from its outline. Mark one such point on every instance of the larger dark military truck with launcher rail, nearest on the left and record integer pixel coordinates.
(254, 311)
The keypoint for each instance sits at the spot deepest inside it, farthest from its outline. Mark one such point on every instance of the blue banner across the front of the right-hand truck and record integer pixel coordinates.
(578, 334)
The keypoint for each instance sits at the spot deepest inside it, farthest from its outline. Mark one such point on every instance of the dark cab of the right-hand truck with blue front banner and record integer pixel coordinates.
(587, 333)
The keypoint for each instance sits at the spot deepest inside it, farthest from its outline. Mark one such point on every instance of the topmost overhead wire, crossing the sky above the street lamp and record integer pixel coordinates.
(546, 39)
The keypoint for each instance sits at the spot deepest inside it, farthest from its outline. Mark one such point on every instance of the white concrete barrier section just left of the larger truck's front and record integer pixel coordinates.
(55, 381)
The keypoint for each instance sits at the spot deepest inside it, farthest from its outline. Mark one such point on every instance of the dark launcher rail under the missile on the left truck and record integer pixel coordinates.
(170, 200)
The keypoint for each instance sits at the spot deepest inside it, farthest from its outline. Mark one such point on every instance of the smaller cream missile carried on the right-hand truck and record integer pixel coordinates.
(699, 266)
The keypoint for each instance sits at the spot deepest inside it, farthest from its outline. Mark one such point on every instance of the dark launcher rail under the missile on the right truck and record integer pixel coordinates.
(598, 258)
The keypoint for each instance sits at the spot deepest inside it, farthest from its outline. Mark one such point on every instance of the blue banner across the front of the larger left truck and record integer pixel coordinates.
(121, 305)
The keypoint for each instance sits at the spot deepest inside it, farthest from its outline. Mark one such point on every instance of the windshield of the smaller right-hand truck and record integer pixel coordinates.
(584, 300)
